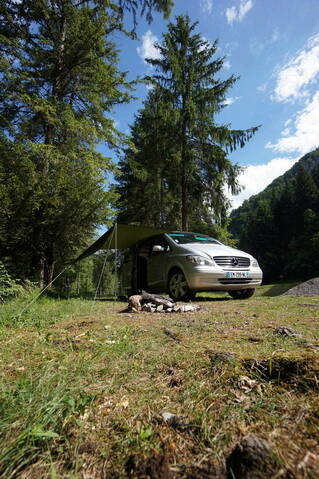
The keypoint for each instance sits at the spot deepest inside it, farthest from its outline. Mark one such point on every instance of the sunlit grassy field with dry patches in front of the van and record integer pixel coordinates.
(84, 386)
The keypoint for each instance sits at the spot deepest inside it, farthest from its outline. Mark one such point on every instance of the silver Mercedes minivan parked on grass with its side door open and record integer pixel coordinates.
(182, 263)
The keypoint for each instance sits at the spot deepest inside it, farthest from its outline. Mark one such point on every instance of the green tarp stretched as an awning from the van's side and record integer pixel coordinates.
(120, 237)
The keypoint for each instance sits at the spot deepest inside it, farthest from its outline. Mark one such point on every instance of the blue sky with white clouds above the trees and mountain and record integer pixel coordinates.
(273, 46)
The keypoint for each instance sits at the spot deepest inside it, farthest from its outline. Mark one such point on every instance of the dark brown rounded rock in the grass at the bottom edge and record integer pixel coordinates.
(251, 458)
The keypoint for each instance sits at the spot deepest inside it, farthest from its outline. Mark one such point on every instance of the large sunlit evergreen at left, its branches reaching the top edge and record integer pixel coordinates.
(59, 83)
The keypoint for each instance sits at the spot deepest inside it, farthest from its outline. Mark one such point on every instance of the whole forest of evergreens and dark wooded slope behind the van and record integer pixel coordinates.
(60, 82)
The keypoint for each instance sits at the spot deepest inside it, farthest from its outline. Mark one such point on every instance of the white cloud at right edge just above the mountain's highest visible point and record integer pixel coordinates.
(306, 127)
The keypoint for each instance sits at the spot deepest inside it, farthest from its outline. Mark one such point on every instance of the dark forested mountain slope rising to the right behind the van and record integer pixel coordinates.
(280, 225)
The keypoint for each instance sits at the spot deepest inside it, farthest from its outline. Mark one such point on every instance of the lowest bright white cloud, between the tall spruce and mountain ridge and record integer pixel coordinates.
(256, 178)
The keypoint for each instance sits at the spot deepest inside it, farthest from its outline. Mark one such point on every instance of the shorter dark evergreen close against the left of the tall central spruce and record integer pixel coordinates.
(147, 174)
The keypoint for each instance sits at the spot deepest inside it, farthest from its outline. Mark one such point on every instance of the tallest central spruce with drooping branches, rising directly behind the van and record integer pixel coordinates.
(186, 79)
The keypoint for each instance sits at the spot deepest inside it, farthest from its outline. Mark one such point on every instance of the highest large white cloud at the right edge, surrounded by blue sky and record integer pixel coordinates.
(294, 77)
